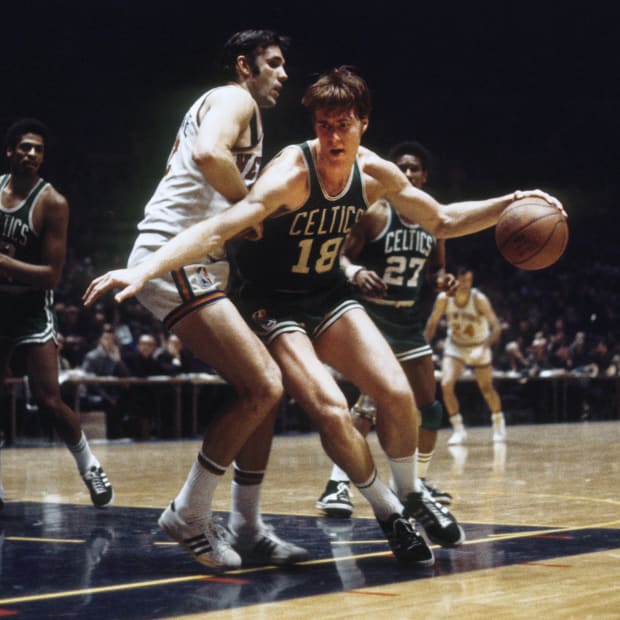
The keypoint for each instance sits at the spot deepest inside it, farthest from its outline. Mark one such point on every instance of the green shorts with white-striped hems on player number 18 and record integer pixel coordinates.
(271, 313)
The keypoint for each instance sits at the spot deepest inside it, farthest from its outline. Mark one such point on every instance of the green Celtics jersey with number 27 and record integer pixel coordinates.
(399, 255)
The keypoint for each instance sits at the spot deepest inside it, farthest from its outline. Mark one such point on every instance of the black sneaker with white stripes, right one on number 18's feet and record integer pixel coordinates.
(438, 523)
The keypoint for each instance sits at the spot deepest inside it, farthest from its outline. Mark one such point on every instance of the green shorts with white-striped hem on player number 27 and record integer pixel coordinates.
(402, 328)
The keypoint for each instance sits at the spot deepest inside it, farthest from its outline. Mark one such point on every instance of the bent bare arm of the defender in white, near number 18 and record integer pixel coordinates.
(224, 123)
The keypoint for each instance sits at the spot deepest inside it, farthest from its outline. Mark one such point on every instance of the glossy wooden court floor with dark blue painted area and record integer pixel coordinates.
(541, 514)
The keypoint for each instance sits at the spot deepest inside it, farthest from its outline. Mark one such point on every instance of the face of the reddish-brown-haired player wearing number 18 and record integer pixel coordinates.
(339, 132)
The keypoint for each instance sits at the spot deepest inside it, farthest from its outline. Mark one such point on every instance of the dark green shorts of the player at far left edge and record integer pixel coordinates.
(28, 318)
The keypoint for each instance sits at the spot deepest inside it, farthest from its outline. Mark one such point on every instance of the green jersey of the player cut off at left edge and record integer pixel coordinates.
(18, 238)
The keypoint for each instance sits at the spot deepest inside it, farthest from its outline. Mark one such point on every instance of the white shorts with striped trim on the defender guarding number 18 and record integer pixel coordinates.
(175, 295)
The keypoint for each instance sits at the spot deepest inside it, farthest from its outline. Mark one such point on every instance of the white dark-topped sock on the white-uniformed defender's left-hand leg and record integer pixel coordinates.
(196, 496)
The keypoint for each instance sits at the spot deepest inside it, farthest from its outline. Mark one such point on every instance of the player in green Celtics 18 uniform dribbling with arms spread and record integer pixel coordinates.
(326, 172)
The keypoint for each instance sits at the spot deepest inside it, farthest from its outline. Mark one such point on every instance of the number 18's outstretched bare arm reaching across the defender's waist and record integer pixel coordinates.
(283, 186)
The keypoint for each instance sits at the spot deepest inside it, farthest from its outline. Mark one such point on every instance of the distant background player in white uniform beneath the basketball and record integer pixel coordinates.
(473, 328)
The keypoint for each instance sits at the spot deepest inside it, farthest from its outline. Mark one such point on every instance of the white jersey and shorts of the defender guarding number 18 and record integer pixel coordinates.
(184, 197)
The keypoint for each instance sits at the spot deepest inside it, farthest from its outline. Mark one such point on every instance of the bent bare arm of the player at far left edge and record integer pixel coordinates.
(51, 219)
